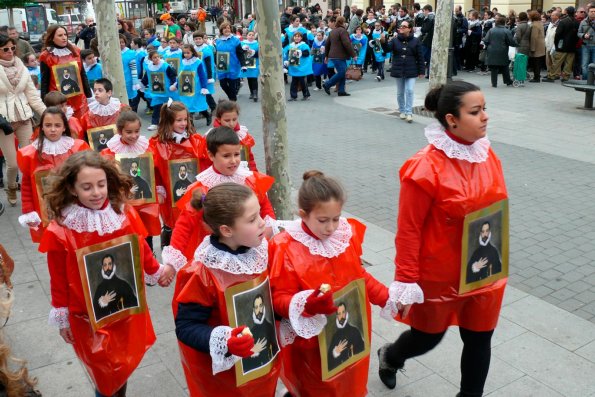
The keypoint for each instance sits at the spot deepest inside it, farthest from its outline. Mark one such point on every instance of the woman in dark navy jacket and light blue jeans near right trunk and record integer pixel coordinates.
(408, 64)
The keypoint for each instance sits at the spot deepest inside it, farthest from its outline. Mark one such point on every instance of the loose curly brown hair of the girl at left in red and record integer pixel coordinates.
(60, 196)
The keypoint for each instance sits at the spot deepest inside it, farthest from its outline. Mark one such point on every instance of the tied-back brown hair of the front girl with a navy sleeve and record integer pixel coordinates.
(222, 205)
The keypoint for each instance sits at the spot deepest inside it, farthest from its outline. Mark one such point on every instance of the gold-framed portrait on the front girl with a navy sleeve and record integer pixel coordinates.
(242, 302)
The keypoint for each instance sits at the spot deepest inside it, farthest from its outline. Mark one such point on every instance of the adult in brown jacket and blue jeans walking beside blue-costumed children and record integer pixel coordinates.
(338, 49)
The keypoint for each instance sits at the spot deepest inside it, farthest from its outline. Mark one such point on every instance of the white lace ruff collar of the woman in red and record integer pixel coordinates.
(475, 153)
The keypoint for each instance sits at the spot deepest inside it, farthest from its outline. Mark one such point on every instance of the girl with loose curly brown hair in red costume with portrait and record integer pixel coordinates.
(88, 199)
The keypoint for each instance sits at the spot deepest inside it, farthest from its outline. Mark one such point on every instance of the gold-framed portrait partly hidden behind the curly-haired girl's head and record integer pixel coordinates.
(143, 166)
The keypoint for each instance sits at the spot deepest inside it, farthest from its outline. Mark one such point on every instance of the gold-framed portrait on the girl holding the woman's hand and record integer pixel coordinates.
(343, 343)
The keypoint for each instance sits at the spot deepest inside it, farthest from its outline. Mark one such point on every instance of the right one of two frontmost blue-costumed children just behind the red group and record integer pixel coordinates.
(192, 83)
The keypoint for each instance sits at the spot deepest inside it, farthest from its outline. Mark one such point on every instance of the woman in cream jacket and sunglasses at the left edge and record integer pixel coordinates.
(18, 96)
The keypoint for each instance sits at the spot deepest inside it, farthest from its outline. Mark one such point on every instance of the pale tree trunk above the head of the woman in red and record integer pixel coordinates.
(441, 42)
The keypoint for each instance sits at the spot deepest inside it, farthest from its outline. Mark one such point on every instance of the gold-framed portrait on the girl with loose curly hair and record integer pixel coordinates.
(114, 296)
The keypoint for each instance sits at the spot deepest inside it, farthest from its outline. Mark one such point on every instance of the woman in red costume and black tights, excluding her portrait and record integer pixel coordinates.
(456, 174)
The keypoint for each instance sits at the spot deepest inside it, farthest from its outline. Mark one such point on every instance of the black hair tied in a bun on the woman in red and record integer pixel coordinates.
(446, 99)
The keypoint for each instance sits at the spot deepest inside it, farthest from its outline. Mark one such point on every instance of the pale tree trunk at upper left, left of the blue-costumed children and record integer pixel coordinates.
(109, 47)
